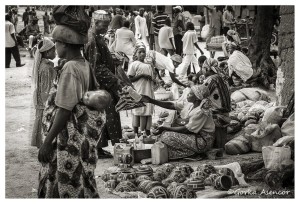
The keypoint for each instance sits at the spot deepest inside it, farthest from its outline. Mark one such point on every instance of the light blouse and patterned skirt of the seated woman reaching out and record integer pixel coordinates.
(200, 123)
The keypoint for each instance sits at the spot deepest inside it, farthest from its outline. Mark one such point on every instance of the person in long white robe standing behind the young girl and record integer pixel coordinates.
(141, 30)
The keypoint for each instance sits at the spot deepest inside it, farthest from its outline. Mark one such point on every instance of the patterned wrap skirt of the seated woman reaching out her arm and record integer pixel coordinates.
(182, 145)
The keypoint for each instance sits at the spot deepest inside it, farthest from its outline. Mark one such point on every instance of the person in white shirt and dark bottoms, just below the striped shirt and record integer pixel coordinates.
(166, 38)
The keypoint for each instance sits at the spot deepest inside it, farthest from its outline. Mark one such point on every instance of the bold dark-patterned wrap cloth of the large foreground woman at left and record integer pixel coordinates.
(70, 173)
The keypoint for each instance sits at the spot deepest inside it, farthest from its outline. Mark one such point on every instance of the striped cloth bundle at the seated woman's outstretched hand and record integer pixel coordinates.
(129, 99)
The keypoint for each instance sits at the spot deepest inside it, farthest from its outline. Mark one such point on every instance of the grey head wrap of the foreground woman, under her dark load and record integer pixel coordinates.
(67, 35)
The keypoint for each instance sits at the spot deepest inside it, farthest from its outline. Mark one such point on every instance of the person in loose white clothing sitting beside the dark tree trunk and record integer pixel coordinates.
(239, 65)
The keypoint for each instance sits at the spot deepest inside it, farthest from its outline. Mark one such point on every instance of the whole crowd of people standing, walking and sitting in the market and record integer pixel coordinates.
(71, 135)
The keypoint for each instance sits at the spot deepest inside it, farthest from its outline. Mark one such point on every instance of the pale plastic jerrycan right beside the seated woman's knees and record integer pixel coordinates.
(159, 153)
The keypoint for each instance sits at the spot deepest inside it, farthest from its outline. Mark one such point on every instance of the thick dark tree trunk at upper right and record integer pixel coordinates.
(259, 46)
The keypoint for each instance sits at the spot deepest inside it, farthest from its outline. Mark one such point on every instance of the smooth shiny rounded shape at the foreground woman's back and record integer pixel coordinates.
(98, 100)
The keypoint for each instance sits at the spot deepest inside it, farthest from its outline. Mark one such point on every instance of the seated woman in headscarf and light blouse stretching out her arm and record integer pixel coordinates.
(196, 133)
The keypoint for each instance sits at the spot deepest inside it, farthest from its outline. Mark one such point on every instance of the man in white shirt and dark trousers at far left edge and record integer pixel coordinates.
(11, 45)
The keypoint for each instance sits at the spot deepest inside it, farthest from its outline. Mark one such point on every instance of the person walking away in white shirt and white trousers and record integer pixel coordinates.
(189, 43)
